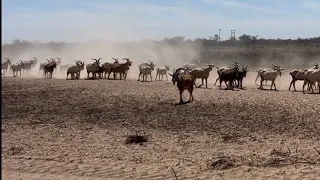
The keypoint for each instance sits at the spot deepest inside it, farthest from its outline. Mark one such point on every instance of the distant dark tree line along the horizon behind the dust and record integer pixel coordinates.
(246, 47)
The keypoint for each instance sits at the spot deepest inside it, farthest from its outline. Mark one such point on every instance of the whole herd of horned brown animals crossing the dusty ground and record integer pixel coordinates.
(185, 76)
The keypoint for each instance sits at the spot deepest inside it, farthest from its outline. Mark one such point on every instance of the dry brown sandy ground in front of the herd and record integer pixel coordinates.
(59, 129)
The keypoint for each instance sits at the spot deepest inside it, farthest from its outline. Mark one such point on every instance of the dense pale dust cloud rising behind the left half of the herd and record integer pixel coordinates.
(139, 52)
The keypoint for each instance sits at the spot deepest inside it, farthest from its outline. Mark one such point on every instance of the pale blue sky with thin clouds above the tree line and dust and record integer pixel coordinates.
(82, 20)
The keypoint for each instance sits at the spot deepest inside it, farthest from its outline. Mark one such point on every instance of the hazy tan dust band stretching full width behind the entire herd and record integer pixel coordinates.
(162, 53)
